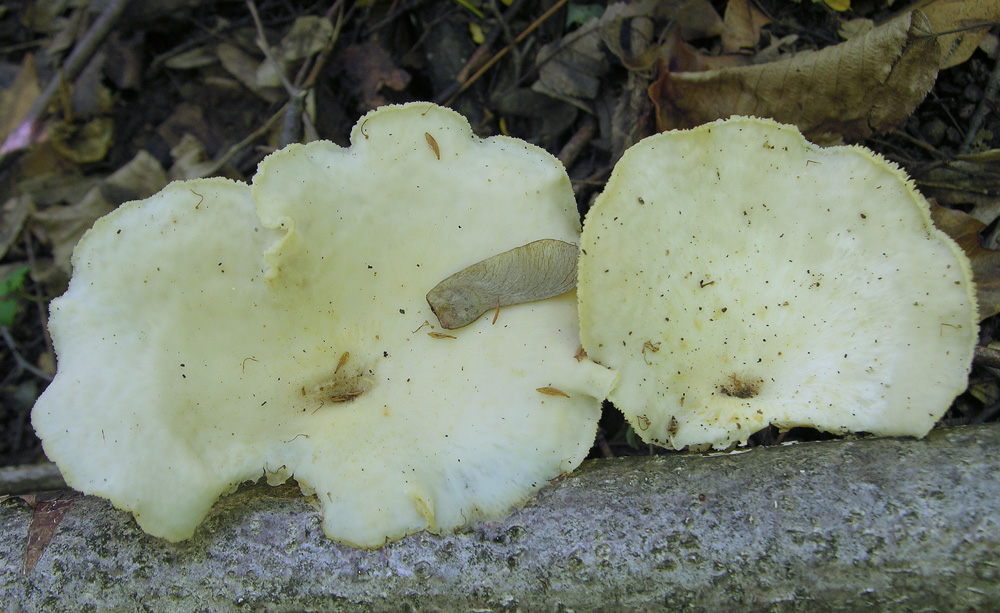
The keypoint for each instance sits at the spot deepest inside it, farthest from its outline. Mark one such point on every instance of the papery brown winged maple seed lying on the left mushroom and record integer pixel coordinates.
(536, 271)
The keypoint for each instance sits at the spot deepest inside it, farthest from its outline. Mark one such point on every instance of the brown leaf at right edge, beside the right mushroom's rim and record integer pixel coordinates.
(985, 262)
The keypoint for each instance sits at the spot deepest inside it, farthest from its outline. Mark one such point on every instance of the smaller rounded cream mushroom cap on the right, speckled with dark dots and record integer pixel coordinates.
(738, 276)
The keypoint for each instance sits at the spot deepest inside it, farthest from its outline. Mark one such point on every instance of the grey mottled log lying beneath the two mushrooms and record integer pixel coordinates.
(873, 524)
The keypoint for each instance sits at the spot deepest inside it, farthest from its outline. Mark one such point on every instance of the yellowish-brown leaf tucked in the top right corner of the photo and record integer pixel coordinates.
(951, 15)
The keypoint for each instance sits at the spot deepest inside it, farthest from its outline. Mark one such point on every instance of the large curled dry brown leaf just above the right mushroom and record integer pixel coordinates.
(851, 90)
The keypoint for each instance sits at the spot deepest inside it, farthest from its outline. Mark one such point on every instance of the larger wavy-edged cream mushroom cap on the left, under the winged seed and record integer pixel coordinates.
(217, 332)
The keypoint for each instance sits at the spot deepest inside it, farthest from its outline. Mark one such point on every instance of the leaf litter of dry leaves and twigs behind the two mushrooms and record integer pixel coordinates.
(142, 107)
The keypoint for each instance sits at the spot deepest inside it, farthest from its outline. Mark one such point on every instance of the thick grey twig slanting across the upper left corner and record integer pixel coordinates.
(25, 133)
